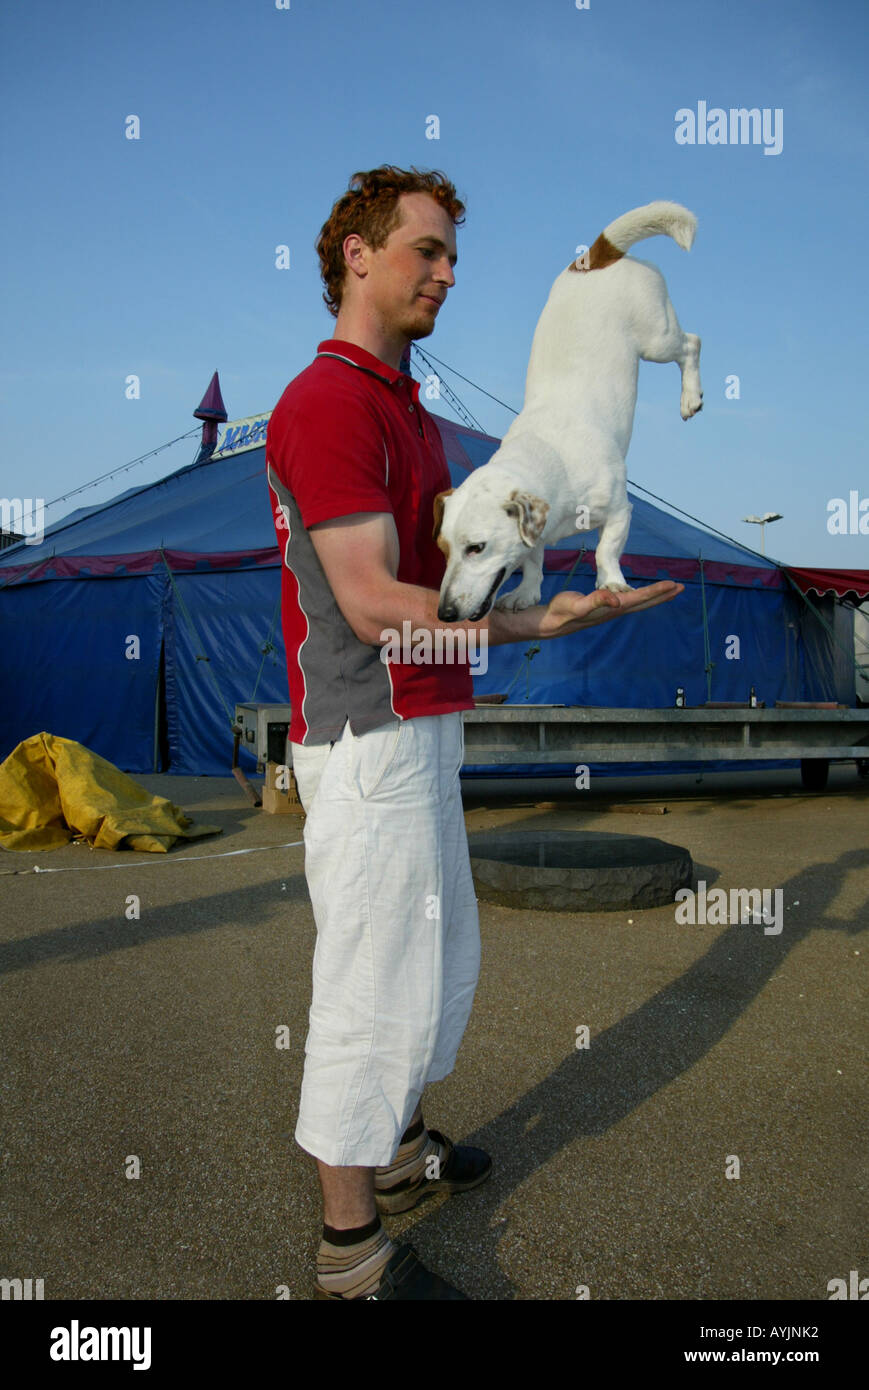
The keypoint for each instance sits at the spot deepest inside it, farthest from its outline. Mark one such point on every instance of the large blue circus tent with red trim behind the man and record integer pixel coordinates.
(137, 626)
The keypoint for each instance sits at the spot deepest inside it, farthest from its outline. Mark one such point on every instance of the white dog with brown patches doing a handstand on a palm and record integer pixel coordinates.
(561, 466)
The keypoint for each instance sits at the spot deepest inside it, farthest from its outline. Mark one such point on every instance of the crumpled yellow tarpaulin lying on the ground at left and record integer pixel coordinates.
(55, 790)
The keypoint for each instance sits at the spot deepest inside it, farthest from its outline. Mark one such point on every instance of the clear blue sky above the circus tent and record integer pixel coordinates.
(158, 256)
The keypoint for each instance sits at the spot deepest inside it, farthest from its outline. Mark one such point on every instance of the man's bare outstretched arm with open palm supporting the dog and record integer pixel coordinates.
(359, 555)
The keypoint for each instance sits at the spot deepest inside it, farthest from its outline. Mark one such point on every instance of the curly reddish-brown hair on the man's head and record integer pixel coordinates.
(371, 208)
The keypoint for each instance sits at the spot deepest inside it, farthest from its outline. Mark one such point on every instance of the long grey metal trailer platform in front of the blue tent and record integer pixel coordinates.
(587, 735)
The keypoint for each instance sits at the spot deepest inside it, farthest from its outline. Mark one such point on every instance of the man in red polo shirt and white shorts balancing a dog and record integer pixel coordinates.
(354, 466)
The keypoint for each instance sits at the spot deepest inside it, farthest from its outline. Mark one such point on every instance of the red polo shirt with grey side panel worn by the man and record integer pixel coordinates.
(350, 436)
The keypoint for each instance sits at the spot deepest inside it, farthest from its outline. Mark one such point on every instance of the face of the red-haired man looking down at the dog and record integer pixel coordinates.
(408, 279)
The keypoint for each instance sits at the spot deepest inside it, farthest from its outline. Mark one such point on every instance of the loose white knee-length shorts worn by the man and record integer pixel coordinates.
(398, 936)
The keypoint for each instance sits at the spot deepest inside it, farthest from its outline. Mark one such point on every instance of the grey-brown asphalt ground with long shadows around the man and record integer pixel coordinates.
(156, 1039)
